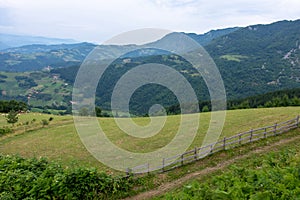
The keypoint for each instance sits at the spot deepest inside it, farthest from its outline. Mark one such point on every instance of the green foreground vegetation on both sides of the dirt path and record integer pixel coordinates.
(39, 178)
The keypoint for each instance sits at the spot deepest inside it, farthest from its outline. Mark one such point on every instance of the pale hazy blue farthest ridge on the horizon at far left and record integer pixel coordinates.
(8, 40)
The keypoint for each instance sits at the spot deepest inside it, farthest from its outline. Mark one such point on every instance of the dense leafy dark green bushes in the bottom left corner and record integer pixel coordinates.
(38, 179)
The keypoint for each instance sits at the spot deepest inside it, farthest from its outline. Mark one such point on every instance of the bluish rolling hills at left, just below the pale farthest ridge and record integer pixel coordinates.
(38, 57)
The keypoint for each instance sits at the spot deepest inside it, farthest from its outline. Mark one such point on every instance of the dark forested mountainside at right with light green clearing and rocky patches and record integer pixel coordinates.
(259, 59)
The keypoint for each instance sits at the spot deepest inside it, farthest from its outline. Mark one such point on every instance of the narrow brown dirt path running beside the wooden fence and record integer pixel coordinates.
(179, 182)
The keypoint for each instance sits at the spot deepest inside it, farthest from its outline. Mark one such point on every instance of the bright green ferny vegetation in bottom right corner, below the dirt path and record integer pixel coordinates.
(274, 175)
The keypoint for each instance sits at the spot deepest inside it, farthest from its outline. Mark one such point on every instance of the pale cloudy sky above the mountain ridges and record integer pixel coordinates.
(99, 20)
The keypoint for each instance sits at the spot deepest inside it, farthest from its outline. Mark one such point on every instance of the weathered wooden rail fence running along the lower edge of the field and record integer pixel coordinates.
(223, 144)
